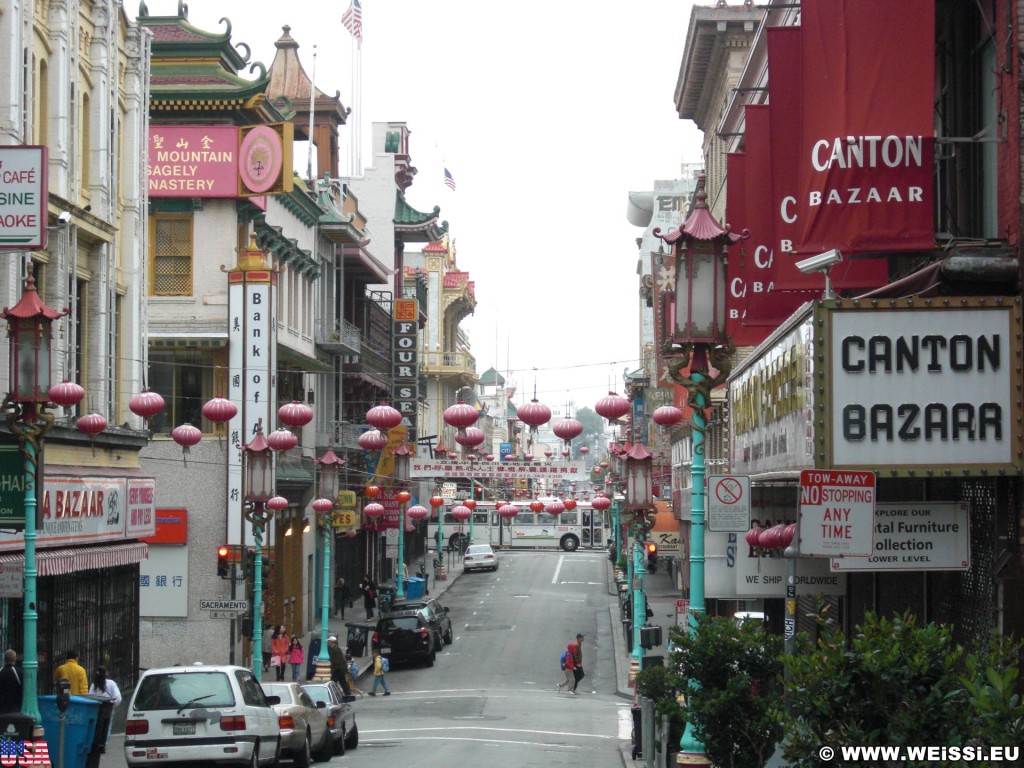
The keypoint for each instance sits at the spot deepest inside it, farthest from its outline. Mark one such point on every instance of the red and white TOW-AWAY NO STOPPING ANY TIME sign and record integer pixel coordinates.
(837, 513)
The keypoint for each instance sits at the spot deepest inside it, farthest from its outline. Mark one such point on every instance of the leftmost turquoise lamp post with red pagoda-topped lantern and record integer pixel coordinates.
(30, 330)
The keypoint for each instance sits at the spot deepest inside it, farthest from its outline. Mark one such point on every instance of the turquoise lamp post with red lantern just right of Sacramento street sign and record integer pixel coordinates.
(261, 504)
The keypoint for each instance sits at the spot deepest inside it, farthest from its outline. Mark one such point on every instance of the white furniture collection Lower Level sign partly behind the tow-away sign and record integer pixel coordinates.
(929, 536)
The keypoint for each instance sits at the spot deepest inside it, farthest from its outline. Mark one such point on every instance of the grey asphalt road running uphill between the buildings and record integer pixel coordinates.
(490, 699)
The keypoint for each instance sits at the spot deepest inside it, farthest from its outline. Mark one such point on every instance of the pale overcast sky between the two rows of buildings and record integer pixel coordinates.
(547, 115)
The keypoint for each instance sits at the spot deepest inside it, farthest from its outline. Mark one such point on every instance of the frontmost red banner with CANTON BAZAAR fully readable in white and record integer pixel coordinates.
(867, 137)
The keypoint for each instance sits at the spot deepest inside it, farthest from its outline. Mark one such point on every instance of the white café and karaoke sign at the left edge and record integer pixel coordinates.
(23, 198)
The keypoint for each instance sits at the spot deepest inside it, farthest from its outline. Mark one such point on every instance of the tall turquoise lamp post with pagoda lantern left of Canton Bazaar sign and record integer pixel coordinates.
(699, 342)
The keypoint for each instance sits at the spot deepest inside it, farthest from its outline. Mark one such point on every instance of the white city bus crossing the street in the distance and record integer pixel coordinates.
(582, 528)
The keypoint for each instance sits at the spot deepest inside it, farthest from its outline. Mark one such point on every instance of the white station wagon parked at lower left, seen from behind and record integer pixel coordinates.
(202, 714)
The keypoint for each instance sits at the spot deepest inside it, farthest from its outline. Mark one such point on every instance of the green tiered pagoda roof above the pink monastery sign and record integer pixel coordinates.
(196, 70)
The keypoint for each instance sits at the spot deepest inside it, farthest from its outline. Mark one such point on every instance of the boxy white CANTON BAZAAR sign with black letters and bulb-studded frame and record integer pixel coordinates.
(923, 388)
